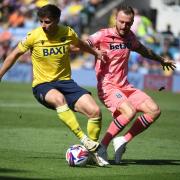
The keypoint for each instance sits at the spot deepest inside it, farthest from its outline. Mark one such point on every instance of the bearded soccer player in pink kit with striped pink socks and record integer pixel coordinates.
(114, 90)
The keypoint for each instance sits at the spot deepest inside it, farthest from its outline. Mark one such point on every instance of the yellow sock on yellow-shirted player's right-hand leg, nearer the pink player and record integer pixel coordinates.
(94, 128)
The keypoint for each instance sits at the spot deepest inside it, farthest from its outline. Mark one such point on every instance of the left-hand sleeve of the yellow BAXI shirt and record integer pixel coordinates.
(26, 43)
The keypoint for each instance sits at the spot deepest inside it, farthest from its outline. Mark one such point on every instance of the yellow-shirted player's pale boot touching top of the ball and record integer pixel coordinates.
(89, 144)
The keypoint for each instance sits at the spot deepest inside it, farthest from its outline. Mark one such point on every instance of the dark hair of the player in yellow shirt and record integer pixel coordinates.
(50, 11)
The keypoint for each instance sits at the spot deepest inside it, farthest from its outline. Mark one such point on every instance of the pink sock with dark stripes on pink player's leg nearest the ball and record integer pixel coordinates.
(114, 128)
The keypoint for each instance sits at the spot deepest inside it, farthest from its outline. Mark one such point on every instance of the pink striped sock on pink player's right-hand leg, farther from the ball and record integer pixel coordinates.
(141, 124)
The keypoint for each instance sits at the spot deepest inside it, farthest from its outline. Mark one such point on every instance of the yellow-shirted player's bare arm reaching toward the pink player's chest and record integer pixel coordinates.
(84, 46)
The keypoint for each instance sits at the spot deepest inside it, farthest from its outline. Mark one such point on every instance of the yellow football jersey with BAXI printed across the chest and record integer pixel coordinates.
(50, 55)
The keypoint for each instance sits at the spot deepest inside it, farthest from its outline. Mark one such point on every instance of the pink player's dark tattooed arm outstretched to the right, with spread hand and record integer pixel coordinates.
(150, 54)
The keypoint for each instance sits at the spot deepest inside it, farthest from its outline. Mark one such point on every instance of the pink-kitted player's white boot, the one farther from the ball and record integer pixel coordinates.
(119, 144)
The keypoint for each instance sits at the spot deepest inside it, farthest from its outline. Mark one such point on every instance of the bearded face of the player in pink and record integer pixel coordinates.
(123, 23)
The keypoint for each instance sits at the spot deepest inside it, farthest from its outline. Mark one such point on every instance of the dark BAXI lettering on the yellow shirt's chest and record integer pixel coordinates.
(54, 51)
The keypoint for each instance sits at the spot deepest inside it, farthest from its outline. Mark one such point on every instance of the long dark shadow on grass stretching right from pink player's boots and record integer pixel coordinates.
(162, 162)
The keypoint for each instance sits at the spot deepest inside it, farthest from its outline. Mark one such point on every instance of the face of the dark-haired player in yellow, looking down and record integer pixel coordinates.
(49, 26)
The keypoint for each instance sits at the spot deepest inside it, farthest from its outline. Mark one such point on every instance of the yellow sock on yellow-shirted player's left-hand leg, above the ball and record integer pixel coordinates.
(69, 118)
